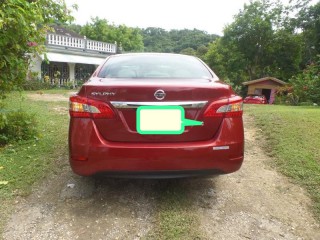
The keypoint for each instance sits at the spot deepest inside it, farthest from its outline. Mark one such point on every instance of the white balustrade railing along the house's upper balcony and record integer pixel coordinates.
(80, 43)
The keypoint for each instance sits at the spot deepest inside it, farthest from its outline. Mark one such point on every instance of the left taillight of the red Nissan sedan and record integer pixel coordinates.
(82, 107)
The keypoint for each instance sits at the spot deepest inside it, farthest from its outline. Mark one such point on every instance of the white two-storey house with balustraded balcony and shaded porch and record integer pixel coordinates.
(71, 57)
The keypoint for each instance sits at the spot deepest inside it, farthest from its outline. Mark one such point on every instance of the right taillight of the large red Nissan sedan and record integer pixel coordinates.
(233, 107)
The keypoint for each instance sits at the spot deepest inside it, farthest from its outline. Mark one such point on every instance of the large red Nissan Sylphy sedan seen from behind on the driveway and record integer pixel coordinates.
(176, 92)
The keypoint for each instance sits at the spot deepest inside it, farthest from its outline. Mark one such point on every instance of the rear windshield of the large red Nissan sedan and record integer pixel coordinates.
(154, 66)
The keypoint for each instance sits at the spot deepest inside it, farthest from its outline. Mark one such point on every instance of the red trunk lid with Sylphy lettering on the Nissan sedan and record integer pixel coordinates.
(125, 96)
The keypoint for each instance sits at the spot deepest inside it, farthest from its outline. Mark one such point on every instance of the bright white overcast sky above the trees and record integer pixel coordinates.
(208, 15)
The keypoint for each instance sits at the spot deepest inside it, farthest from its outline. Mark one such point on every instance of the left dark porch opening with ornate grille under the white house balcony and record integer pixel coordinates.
(57, 72)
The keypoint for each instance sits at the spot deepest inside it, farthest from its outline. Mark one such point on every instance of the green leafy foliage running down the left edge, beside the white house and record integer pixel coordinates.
(23, 25)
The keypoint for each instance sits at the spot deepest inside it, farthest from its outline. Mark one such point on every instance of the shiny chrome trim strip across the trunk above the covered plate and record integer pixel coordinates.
(185, 104)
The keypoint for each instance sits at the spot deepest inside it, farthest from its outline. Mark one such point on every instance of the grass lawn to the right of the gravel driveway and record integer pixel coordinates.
(292, 137)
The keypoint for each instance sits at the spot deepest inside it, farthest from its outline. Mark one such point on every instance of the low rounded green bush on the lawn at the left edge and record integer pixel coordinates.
(17, 126)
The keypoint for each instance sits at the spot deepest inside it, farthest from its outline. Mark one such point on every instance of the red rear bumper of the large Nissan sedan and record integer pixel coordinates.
(90, 154)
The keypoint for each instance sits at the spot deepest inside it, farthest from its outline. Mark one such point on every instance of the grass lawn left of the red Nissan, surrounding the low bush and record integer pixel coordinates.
(24, 163)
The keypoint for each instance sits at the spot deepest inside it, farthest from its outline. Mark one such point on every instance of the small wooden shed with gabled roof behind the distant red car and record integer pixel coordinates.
(266, 86)
